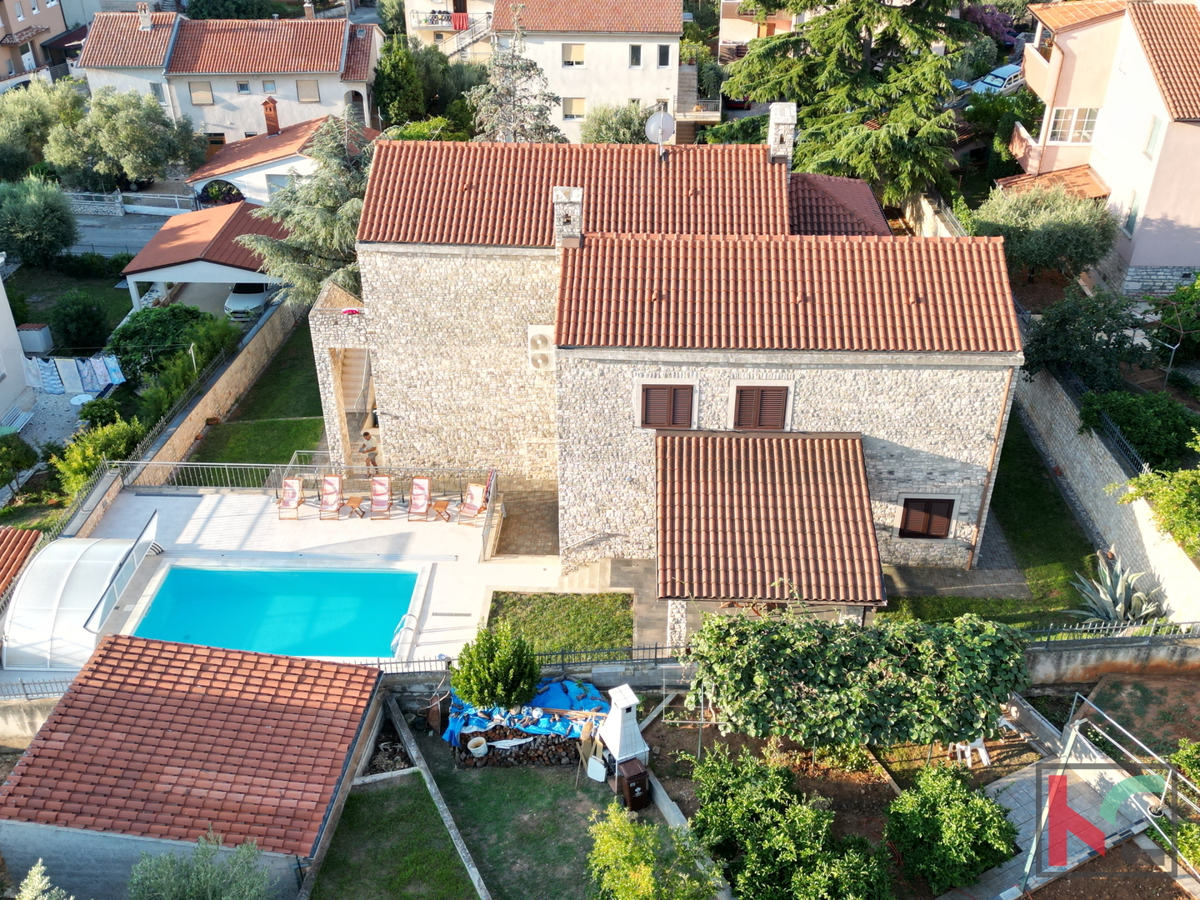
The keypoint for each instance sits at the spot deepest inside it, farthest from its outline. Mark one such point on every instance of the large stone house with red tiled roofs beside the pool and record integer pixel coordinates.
(549, 309)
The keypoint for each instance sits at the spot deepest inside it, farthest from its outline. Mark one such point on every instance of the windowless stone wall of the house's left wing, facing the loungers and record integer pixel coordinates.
(447, 329)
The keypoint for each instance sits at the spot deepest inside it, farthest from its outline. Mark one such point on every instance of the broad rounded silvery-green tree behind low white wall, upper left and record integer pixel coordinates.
(122, 137)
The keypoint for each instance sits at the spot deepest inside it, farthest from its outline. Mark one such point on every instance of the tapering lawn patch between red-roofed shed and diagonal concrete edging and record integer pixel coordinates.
(391, 843)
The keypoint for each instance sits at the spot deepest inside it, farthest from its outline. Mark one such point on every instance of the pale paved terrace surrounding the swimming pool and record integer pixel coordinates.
(243, 529)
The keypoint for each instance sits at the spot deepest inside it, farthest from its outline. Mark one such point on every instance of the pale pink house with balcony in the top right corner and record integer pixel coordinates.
(1121, 83)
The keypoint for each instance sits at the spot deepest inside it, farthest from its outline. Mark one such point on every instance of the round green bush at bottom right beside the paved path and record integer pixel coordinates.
(946, 832)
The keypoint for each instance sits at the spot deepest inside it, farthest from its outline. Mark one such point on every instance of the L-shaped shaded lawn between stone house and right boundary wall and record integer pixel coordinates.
(1047, 541)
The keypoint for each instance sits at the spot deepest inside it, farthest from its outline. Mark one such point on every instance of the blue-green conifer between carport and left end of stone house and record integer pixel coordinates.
(321, 213)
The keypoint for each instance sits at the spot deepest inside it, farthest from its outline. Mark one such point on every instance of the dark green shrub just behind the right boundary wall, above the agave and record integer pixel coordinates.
(1157, 425)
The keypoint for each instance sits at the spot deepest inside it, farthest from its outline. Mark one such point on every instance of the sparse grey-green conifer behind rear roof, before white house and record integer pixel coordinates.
(514, 105)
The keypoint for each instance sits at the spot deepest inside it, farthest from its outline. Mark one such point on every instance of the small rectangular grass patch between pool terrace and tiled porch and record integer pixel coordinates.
(568, 622)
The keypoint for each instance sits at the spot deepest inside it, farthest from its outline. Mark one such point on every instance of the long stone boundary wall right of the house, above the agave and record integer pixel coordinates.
(1090, 467)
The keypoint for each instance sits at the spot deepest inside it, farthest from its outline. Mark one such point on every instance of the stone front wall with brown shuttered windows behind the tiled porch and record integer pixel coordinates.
(928, 430)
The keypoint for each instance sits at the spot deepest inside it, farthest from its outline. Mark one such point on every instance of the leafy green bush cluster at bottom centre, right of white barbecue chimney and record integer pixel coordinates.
(772, 843)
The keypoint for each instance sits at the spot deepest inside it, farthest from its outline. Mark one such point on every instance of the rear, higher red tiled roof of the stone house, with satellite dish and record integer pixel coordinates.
(429, 191)
